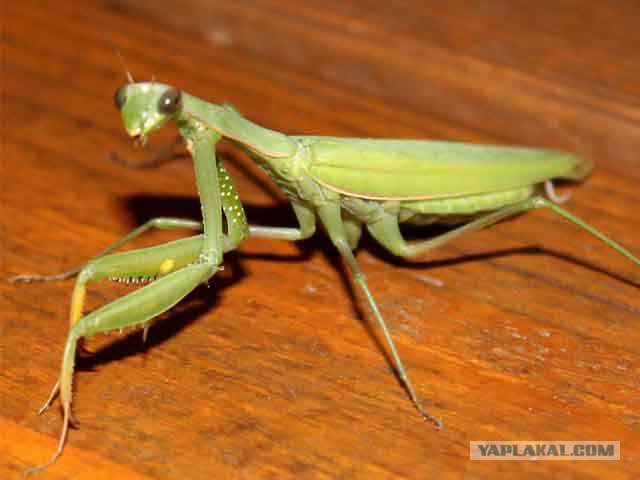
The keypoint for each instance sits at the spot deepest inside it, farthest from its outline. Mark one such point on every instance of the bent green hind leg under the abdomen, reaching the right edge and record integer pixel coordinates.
(387, 232)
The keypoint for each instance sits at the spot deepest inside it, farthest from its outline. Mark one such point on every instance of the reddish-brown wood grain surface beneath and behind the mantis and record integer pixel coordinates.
(274, 371)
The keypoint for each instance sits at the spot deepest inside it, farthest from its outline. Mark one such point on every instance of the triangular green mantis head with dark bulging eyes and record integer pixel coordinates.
(147, 106)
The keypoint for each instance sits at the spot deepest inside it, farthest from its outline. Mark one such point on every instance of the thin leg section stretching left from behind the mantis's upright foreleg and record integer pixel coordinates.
(162, 223)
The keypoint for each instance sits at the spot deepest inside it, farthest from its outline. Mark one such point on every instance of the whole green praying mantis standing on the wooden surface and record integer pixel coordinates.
(343, 183)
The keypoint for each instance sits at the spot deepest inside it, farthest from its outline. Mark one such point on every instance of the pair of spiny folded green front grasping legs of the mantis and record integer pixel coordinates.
(140, 306)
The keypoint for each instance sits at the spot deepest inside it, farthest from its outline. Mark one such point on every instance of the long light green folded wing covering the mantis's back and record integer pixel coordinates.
(415, 169)
